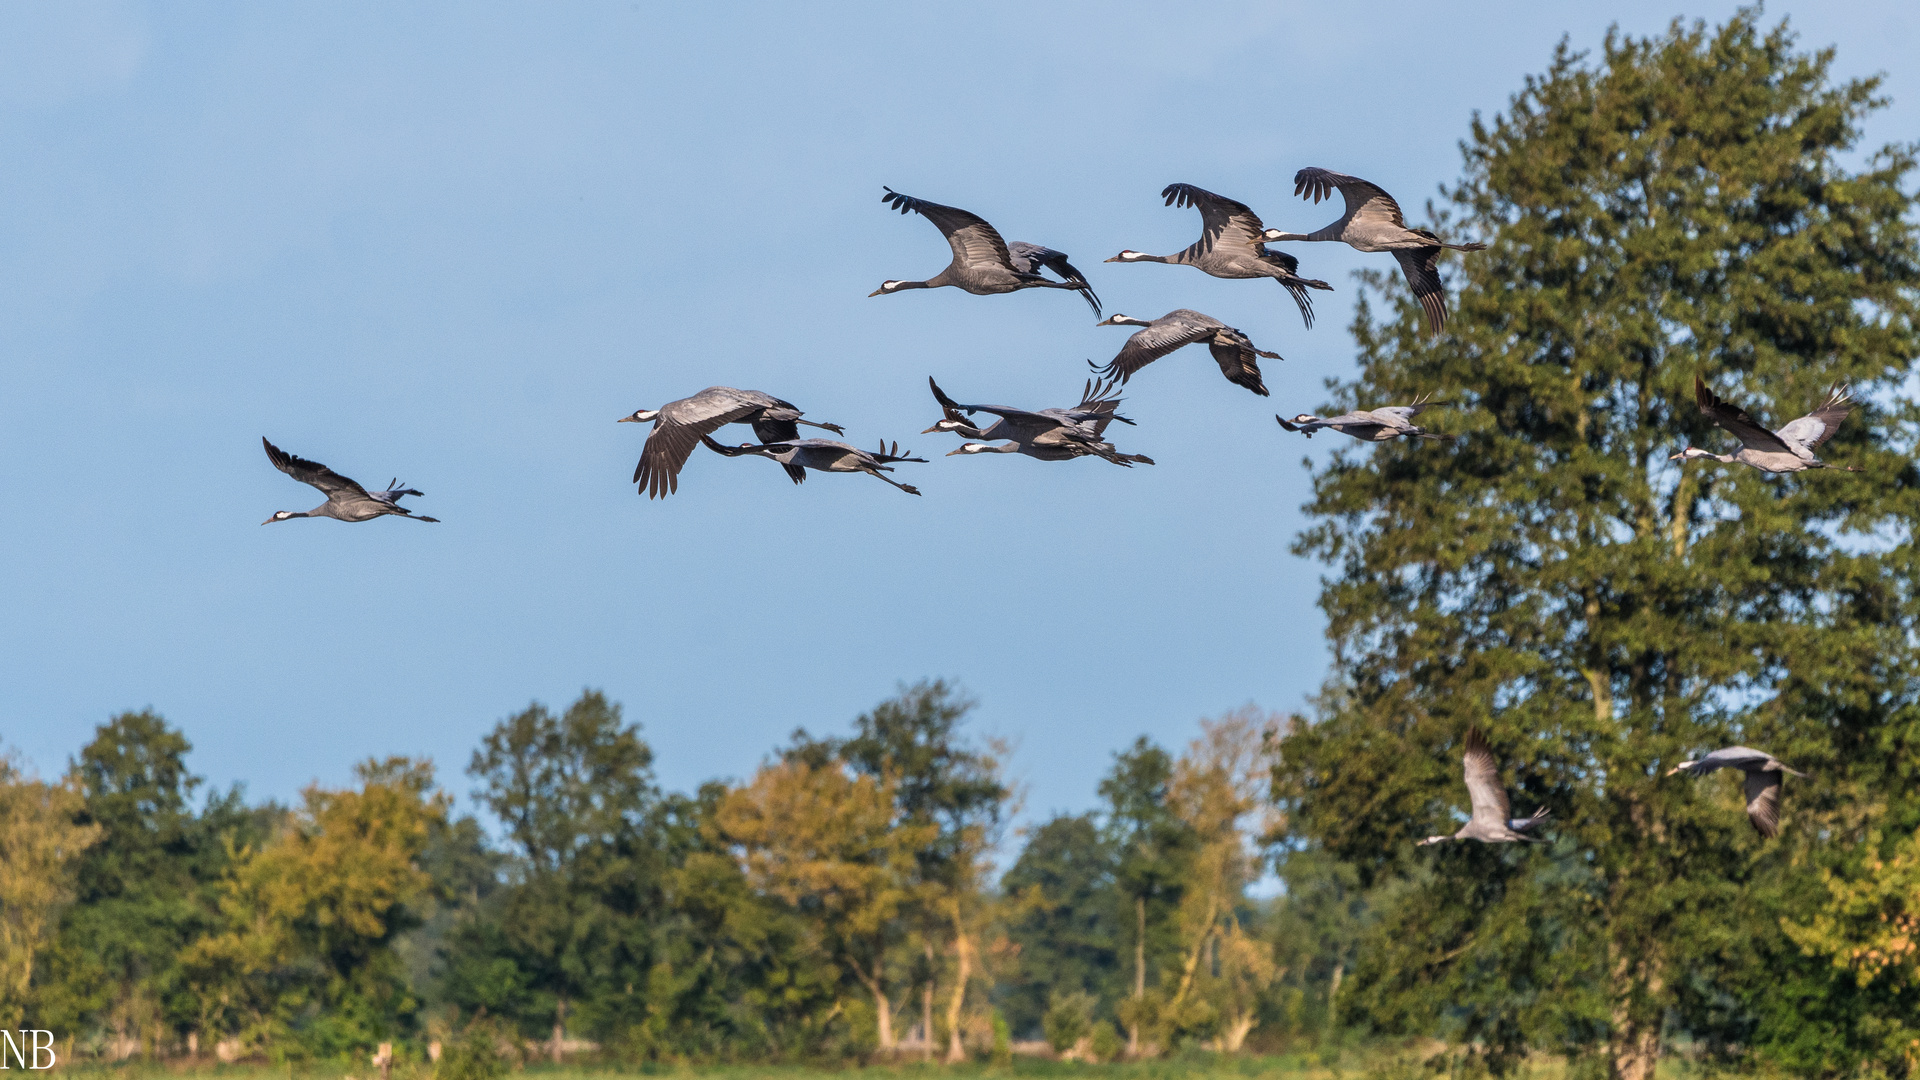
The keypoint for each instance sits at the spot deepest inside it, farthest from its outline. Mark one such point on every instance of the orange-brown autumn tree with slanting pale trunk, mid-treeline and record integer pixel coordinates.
(836, 848)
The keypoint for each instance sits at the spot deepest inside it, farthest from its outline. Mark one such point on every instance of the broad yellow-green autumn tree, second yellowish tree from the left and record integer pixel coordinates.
(306, 962)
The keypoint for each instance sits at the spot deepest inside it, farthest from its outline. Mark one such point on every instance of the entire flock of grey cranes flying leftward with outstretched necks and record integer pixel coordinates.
(1234, 245)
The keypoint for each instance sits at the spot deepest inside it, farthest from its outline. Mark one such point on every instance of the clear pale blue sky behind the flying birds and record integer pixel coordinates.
(454, 243)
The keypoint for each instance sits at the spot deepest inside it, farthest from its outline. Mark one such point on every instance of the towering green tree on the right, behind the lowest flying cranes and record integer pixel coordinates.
(1685, 205)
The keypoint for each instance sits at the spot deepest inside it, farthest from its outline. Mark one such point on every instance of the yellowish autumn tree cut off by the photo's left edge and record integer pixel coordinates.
(39, 852)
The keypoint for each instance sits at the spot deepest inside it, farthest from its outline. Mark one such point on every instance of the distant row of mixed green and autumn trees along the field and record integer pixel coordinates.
(842, 902)
